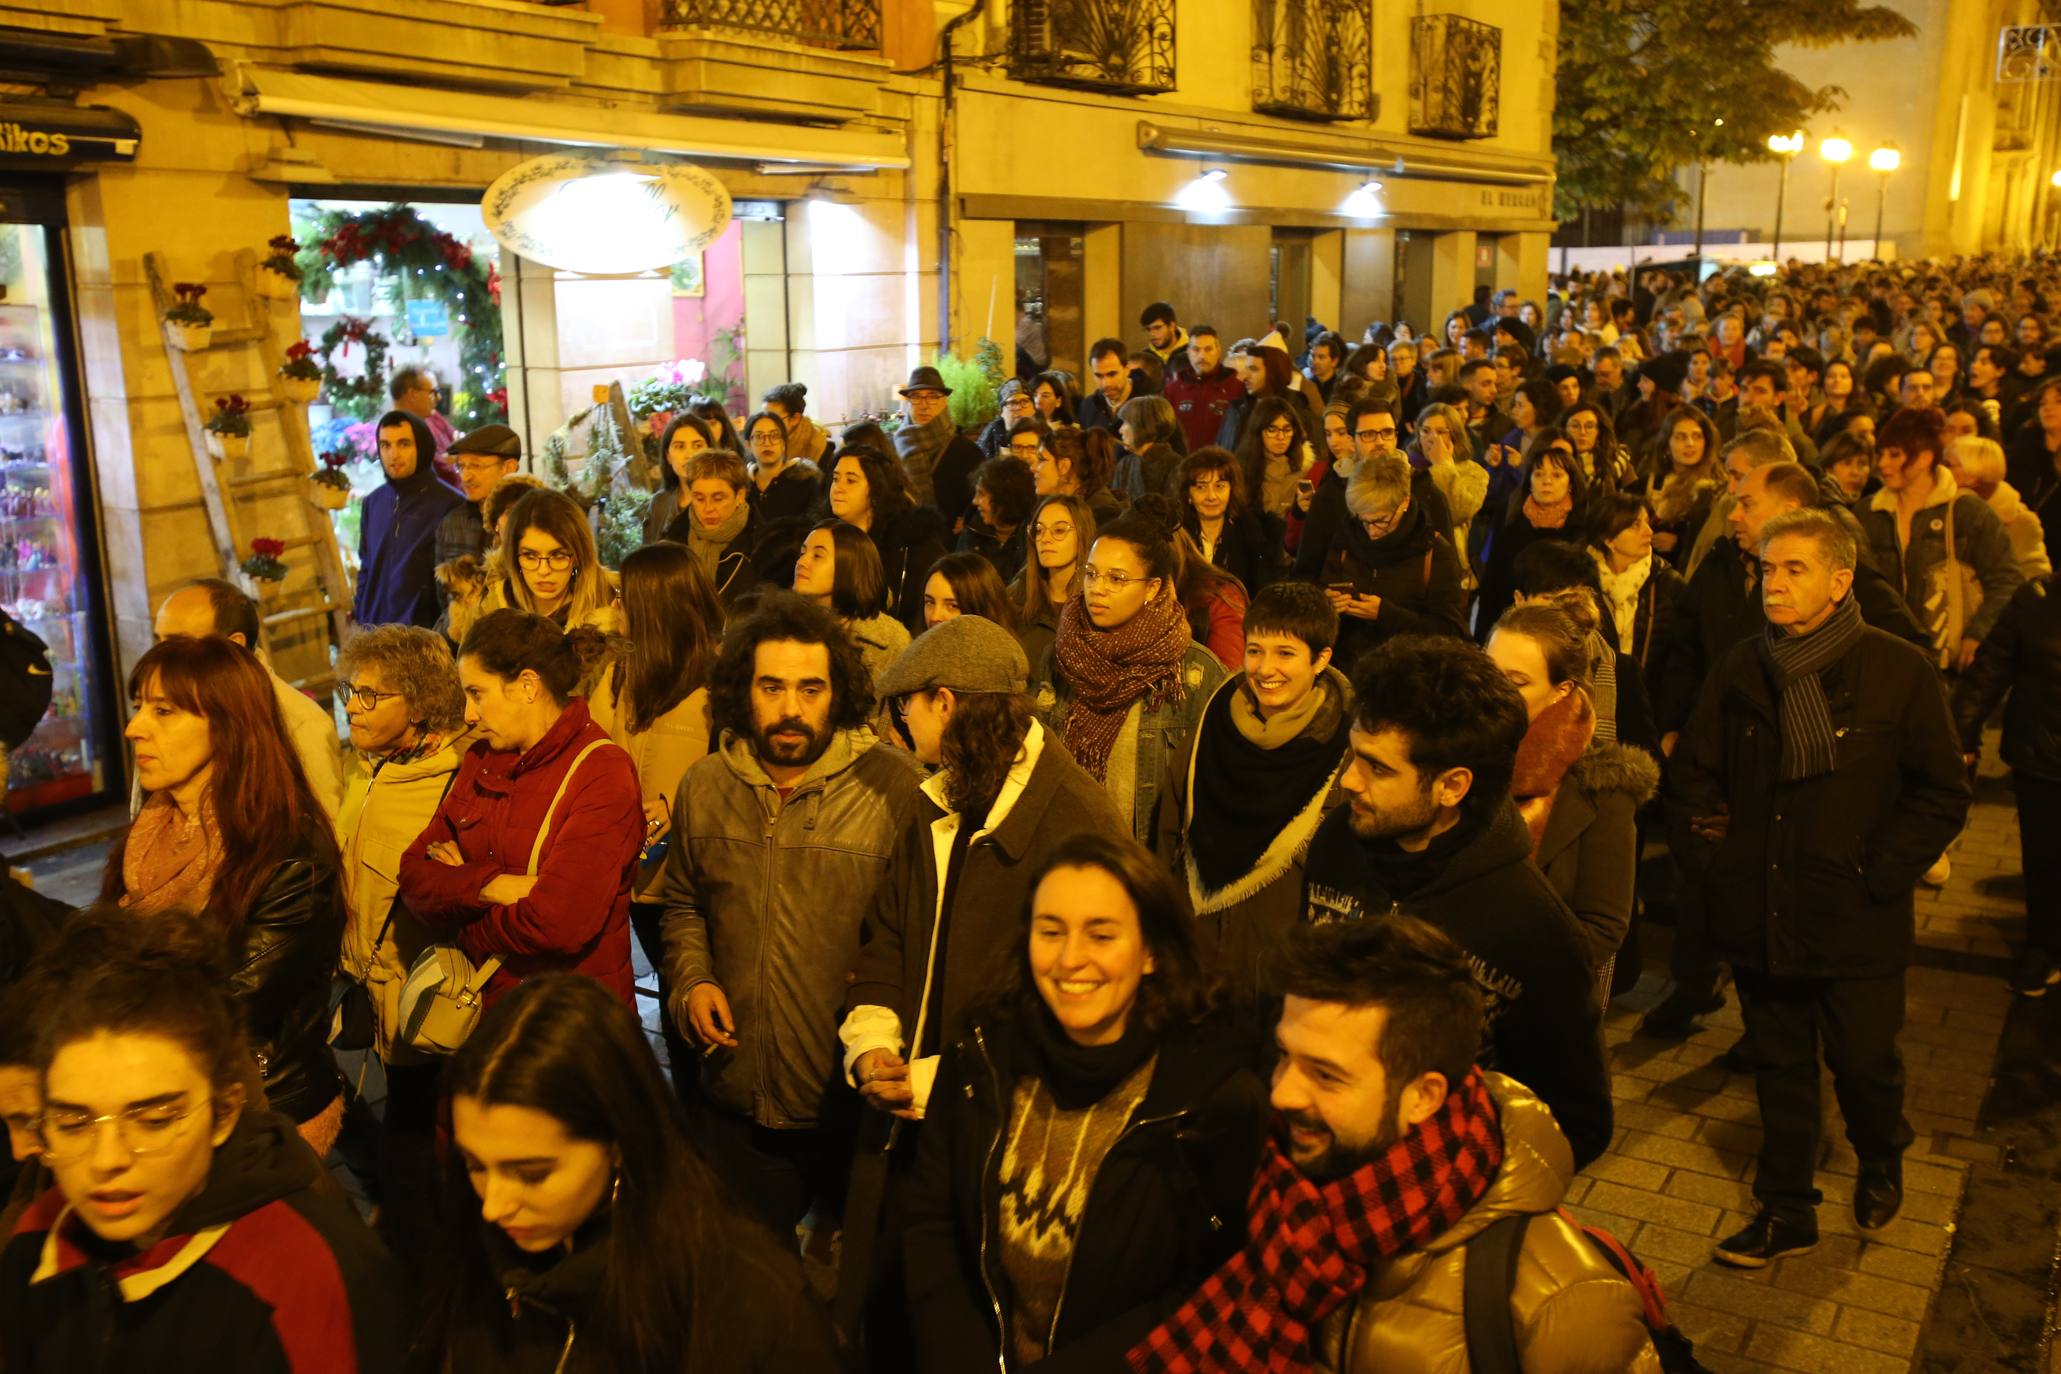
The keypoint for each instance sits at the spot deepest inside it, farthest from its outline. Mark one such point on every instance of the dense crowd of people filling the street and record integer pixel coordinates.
(1135, 889)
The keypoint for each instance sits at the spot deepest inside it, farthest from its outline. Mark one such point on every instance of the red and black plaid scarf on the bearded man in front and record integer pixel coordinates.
(1312, 1245)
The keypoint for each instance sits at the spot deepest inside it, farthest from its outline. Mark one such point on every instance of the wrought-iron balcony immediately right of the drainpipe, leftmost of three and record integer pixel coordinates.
(1118, 46)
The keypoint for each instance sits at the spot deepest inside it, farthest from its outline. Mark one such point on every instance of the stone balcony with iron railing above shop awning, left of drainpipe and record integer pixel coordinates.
(782, 59)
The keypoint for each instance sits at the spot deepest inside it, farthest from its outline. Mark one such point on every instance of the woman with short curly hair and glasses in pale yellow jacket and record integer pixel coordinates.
(407, 736)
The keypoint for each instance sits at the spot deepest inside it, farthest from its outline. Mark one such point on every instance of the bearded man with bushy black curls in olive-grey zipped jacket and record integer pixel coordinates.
(778, 841)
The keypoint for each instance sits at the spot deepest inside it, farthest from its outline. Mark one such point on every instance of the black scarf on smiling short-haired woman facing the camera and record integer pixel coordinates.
(1246, 794)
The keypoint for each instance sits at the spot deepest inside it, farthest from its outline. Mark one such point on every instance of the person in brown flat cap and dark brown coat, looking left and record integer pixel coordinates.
(947, 909)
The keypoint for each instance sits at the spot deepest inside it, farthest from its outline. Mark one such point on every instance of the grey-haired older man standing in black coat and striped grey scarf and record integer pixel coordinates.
(1815, 784)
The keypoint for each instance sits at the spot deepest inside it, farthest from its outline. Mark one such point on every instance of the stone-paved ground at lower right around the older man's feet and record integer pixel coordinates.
(1679, 1175)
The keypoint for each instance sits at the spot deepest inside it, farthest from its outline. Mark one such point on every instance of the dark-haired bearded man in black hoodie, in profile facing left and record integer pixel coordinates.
(1431, 831)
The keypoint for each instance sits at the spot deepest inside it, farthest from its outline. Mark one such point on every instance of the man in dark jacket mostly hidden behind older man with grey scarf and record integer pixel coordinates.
(1720, 609)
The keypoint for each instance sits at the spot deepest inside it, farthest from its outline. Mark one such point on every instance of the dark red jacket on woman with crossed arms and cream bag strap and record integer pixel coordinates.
(578, 918)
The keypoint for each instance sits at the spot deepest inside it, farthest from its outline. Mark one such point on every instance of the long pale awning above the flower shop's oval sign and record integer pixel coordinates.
(403, 110)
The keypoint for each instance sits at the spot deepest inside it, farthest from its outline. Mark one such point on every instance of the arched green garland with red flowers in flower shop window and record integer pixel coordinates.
(428, 265)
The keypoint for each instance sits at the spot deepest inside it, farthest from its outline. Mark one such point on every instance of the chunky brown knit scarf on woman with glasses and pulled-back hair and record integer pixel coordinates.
(1108, 671)
